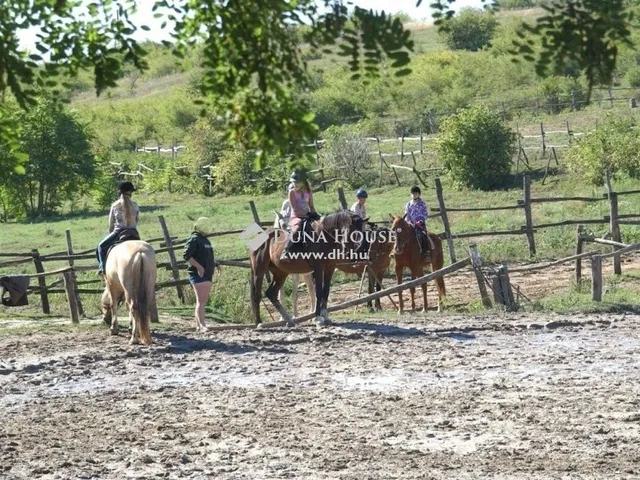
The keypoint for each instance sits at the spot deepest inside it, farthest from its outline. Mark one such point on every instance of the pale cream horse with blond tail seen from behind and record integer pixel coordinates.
(131, 273)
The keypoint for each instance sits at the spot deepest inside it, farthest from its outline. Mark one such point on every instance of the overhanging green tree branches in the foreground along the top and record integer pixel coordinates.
(252, 61)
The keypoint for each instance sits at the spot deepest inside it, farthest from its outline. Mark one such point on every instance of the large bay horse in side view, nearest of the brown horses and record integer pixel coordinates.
(320, 259)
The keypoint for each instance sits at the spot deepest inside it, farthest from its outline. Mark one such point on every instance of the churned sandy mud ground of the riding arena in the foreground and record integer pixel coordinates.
(414, 397)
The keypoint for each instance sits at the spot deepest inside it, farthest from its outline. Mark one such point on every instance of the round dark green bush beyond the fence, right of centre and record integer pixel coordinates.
(476, 148)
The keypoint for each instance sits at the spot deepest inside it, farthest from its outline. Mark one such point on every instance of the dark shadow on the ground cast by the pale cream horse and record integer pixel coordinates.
(179, 344)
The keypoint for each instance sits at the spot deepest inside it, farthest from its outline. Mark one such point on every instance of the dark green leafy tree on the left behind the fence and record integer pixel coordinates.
(60, 163)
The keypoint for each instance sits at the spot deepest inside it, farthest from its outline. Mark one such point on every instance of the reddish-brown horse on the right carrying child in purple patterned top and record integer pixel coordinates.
(407, 255)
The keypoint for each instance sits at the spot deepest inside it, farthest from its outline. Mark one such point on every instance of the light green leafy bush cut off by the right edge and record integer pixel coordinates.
(614, 147)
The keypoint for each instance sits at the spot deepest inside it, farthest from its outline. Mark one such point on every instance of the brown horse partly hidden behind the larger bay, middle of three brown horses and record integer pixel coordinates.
(377, 262)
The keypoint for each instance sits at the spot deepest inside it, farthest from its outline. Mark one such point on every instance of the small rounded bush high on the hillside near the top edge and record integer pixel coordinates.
(471, 30)
